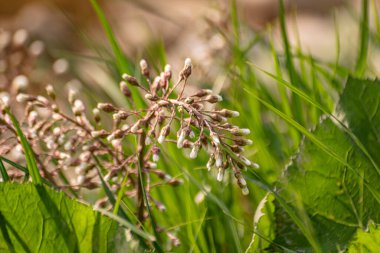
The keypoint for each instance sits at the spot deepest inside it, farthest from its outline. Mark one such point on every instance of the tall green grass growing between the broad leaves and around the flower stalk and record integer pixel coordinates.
(209, 216)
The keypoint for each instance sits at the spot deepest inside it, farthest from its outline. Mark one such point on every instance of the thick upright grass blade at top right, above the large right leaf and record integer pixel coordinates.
(361, 63)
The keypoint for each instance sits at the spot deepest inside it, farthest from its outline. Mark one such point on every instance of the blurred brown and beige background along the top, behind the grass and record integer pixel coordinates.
(183, 29)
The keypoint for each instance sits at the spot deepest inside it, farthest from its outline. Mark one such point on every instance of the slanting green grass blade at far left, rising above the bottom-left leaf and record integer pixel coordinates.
(29, 154)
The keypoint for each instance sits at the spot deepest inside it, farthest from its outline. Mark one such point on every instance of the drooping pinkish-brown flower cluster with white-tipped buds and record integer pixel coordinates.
(74, 149)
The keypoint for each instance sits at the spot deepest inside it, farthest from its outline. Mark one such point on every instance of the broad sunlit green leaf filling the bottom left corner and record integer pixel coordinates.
(34, 218)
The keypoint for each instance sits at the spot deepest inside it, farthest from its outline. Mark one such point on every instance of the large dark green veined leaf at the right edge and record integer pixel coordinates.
(335, 199)
